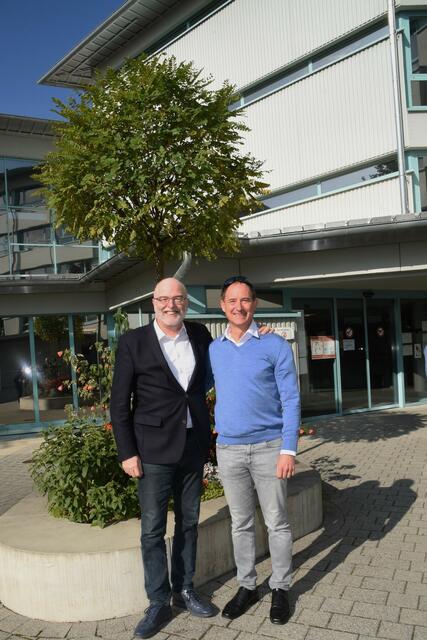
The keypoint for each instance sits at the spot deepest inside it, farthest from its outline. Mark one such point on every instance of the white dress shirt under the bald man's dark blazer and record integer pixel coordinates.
(179, 356)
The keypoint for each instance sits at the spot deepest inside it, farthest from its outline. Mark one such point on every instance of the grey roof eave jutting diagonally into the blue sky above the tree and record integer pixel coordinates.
(130, 21)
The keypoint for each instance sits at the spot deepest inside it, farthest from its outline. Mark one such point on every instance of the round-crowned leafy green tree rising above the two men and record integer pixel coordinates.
(149, 158)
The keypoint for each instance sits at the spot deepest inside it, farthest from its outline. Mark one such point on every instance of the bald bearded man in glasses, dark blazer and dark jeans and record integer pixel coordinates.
(161, 426)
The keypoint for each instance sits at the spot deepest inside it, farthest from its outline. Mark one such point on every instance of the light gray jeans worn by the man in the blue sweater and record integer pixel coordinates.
(242, 469)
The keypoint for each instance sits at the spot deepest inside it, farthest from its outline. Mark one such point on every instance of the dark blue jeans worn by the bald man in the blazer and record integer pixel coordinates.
(183, 481)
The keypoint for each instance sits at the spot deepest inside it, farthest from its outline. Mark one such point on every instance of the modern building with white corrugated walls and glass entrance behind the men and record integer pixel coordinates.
(336, 101)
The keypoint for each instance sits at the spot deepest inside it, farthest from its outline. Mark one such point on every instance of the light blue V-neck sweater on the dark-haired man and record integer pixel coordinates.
(257, 396)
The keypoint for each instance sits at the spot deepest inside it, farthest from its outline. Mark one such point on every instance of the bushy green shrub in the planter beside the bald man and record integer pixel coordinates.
(76, 467)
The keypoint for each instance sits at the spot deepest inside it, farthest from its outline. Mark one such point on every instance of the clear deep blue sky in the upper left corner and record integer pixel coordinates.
(35, 35)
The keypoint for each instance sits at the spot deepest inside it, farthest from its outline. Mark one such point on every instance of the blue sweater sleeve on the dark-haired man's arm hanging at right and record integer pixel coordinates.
(287, 383)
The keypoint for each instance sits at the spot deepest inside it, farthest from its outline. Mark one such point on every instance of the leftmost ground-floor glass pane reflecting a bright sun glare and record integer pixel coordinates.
(16, 384)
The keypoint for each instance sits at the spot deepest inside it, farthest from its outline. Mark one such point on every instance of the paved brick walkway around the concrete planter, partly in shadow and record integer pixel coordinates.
(363, 576)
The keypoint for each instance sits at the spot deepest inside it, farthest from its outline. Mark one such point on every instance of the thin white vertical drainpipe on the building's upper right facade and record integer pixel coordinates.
(398, 110)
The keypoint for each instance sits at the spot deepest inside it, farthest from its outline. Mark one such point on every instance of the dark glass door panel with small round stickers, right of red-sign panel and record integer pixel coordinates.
(353, 354)
